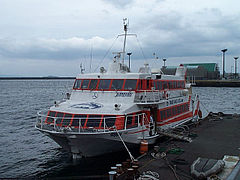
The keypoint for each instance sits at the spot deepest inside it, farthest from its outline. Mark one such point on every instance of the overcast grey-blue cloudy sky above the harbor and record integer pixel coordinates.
(52, 37)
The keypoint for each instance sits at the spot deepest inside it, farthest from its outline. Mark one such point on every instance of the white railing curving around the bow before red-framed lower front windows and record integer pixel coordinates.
(91, 125)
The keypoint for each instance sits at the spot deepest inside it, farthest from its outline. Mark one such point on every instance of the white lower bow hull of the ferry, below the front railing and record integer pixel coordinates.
(89, 145)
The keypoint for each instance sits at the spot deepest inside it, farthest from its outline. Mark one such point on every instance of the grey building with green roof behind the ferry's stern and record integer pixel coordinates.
(199, 71)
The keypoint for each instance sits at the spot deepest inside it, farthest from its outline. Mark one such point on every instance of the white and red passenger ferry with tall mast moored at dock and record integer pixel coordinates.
(115, 108)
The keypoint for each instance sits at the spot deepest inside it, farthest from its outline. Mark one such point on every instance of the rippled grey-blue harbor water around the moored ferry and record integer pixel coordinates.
(27, 153)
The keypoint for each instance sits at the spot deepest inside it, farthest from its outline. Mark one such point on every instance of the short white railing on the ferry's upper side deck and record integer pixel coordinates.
(149, 96)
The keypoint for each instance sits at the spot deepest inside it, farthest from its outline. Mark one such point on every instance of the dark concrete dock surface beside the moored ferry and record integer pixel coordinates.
(213, 137)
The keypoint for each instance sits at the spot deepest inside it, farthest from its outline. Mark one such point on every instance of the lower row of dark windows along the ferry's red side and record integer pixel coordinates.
(173, 111)
